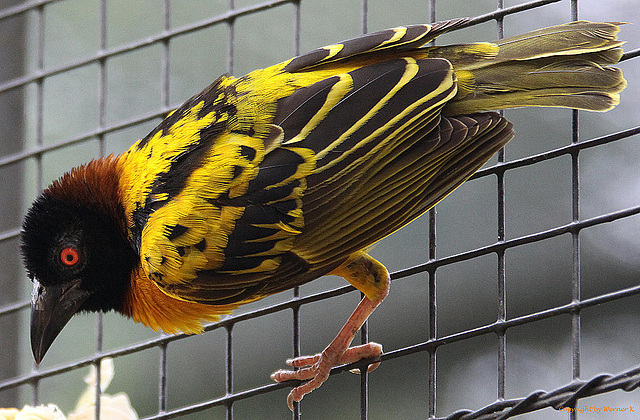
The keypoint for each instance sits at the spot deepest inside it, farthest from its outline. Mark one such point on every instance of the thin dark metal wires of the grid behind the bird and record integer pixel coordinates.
(566, 396)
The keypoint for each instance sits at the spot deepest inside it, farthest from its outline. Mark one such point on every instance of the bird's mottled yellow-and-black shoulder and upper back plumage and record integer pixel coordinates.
(199, 195)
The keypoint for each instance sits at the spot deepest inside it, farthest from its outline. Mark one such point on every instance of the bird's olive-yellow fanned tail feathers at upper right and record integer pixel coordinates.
(560, 66)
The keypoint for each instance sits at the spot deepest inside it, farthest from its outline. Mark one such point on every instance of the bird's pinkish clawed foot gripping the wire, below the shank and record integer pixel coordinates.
(316, 368)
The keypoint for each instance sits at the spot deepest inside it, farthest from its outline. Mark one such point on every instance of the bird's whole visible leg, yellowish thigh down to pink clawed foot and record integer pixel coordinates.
(371, 278)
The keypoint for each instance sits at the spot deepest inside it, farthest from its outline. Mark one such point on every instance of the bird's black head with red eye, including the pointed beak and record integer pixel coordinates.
(76, 254)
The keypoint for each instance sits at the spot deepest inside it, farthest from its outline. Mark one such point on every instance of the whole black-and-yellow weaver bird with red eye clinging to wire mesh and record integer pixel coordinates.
(265, 182)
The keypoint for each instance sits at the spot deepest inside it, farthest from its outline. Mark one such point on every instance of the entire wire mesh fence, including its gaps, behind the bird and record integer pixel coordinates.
(523, 279)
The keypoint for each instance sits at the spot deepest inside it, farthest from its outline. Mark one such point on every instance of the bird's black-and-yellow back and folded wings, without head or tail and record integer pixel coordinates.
(270, 180)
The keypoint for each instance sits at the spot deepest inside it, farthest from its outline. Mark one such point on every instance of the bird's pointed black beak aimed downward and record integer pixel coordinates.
(51, 308)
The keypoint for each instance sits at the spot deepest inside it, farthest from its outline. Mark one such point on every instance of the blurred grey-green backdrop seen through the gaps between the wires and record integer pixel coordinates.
(538, 197)
